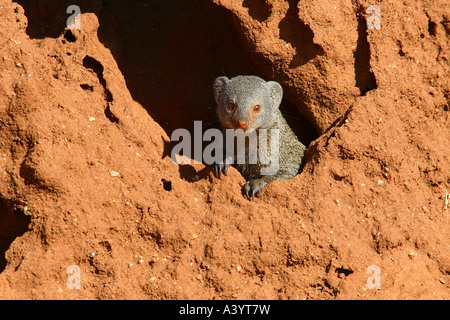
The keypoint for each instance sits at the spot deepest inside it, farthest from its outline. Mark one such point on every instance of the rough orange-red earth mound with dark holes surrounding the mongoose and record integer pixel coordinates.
(86, 116)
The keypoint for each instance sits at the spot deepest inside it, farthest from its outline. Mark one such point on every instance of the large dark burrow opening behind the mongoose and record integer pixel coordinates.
(169, 52)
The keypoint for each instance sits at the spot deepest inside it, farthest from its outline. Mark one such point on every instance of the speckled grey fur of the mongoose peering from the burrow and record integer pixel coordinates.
(245, 92)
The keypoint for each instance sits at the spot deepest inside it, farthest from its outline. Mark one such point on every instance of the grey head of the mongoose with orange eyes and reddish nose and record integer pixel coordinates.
(247, 102)
